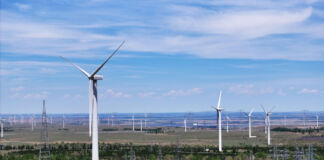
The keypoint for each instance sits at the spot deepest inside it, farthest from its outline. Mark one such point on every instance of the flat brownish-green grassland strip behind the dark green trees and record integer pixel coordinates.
(79, 134)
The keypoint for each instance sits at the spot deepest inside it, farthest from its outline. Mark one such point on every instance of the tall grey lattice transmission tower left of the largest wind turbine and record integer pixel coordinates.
(44, 152)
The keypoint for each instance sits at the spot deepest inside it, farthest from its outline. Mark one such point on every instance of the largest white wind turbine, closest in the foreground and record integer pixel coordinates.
(93, 100)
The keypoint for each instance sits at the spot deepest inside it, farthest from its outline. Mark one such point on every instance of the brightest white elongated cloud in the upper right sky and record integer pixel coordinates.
(247, 24)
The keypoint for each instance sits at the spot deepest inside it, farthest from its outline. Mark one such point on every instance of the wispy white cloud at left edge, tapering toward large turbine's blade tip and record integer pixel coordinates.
(25, 36)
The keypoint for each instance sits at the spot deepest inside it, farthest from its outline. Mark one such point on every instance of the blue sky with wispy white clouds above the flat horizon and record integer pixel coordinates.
(178, 55)
